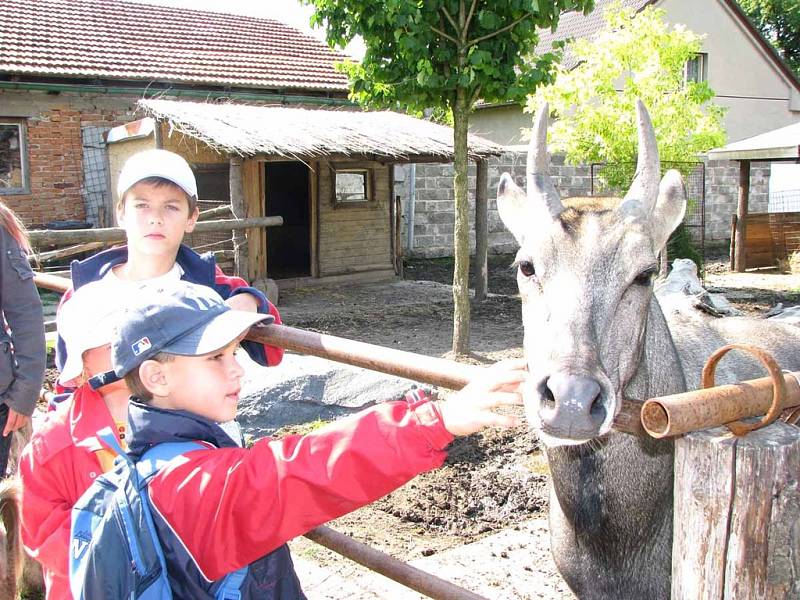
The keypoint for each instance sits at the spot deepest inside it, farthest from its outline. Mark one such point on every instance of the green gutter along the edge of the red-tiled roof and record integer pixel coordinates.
(149, 92)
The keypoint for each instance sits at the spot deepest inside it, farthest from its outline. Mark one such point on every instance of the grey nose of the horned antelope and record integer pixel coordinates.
(572, 406)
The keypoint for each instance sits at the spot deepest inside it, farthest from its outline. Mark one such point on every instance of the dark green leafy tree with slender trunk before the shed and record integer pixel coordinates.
(445, 54)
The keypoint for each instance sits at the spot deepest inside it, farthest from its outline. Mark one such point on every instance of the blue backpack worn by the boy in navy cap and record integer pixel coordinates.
(114, 548)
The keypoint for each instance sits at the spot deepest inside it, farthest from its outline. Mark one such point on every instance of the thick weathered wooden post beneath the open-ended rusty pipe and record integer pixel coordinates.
(737, 515)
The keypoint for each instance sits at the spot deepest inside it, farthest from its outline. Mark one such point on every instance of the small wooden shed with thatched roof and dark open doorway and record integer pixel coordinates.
(328, 173)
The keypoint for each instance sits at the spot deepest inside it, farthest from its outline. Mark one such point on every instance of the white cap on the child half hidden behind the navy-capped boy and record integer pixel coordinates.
(86, 320)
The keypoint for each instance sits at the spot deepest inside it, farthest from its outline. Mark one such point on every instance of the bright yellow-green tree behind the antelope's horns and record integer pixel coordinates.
(637, 55)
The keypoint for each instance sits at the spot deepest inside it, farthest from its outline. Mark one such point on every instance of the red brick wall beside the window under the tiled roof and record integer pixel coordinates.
(55, 149)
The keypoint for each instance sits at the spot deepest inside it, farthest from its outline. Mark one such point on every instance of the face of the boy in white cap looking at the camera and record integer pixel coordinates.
(155, 218)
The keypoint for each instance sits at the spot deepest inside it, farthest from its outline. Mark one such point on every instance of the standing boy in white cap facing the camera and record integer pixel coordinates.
(157, 206)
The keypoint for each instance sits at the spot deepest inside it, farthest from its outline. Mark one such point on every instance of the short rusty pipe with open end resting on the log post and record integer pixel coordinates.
(700, 409)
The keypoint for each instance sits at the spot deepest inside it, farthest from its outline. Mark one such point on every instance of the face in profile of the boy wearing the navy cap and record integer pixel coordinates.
(206, 385)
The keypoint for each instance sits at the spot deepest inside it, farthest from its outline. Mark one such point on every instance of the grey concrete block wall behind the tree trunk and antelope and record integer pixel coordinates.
(434, 205)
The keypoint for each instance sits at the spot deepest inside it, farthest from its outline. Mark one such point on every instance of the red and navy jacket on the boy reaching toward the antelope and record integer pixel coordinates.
(219, 509)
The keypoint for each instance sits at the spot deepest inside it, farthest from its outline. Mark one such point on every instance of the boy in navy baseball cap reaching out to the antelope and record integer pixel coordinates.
(219, 509)
